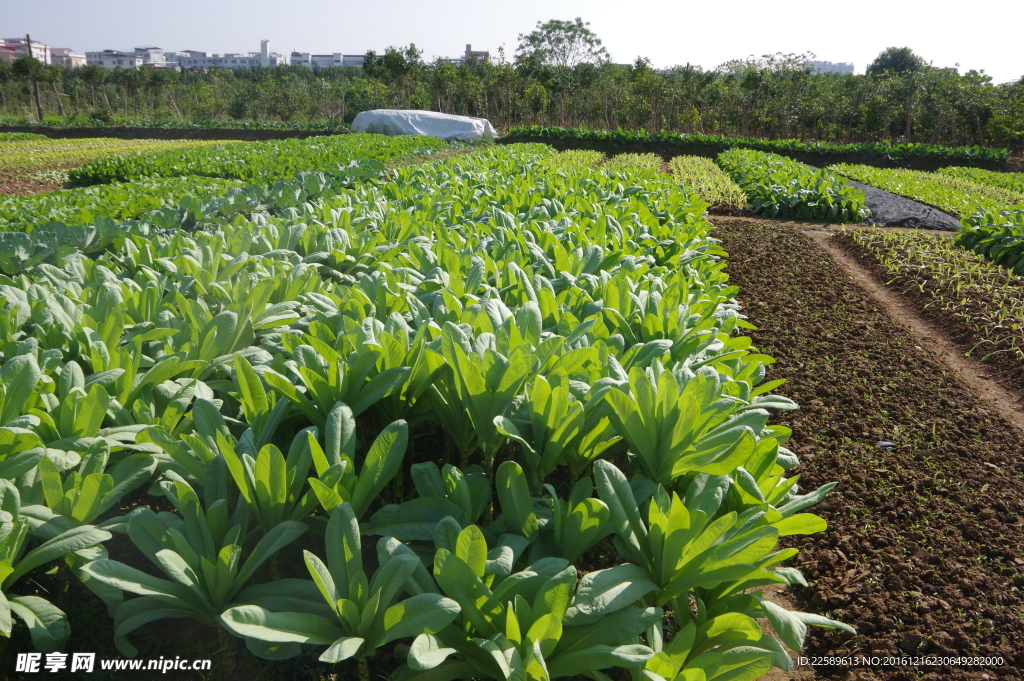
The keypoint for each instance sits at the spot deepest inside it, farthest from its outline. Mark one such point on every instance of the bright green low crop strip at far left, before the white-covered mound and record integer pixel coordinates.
(262, 163)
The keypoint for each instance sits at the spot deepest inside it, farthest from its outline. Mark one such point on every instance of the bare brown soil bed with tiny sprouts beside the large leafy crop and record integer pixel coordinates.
(924, 551)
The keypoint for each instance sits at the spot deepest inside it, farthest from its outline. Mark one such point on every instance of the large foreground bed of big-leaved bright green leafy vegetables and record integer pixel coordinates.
(272, 373)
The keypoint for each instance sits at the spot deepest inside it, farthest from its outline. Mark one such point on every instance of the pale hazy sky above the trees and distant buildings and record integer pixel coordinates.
(984, 35)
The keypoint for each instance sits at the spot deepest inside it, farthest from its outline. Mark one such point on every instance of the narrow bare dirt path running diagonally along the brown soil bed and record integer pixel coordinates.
(976, 376)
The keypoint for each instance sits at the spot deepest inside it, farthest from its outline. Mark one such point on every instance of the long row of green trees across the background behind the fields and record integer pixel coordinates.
(561, 75)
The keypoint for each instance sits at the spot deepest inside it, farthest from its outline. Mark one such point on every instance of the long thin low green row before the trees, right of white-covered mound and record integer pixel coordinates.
(895, 153)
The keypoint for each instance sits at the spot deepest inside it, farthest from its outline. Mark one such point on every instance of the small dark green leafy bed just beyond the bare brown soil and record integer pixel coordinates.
(779, 187)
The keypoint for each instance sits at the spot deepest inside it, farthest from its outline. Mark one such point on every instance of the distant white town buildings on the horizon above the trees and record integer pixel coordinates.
(156, 58)
